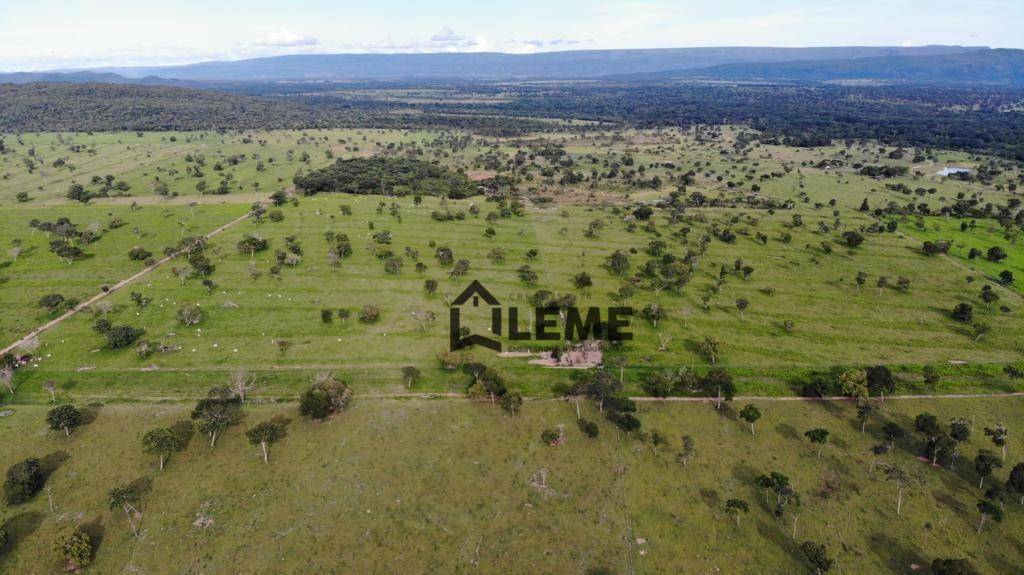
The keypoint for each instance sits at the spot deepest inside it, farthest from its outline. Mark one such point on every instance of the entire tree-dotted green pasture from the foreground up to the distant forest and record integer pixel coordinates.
(428, 483)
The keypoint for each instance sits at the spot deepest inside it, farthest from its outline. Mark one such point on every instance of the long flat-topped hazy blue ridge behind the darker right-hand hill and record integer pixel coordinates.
(485, 66)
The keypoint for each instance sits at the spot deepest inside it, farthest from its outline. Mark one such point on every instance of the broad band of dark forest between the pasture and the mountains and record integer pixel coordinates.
(987, 120)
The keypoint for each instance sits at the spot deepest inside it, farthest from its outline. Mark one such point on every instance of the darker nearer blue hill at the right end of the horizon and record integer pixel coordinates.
(982, 67)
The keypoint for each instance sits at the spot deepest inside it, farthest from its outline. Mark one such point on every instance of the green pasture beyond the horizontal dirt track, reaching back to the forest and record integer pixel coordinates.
(835, 322)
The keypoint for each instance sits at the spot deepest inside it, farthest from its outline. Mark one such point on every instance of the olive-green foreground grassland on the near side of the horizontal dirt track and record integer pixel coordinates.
(446, 486)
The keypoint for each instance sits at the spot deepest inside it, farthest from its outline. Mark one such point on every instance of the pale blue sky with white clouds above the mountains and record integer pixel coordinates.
(49, 34)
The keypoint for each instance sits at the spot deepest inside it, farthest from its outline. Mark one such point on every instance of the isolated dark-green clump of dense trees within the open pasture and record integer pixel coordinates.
(394, 176)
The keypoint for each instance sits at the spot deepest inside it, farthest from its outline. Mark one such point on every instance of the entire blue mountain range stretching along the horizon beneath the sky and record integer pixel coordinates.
(882, 63)
